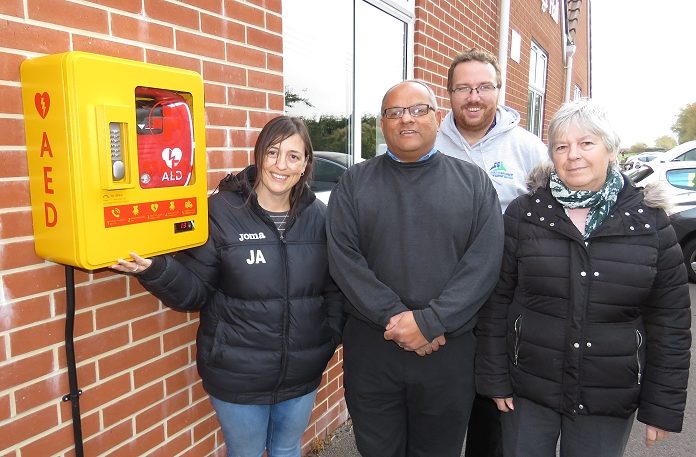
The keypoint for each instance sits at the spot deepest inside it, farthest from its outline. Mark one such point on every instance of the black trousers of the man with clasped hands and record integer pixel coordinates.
(403, 405)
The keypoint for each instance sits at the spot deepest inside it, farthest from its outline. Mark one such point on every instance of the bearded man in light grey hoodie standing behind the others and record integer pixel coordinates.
(481, 131)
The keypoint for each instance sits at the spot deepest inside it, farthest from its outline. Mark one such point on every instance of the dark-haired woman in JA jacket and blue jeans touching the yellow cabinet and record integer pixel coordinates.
(270, 315)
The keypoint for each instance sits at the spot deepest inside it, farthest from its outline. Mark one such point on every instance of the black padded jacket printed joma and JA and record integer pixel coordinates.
(270, 316)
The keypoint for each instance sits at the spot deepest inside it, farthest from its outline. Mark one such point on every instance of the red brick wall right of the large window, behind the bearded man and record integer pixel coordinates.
(444, 28)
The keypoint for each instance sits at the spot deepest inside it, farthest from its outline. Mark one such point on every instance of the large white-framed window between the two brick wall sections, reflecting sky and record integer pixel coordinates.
(335, 75)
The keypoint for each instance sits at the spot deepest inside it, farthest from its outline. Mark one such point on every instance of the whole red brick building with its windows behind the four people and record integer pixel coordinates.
(329, 62)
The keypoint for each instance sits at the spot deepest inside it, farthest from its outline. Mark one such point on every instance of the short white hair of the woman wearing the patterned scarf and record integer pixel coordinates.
(587, 115)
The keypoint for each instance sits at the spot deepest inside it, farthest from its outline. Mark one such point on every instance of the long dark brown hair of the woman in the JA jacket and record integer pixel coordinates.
(275, 131)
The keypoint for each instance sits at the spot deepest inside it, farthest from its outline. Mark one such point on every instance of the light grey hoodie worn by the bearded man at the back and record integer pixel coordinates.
(507, 153)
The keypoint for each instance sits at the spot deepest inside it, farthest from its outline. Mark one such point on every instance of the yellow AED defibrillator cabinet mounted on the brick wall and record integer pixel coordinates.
(116, 154)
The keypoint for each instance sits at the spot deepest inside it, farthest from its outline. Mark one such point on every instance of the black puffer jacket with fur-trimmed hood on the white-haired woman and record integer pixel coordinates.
(595, 327)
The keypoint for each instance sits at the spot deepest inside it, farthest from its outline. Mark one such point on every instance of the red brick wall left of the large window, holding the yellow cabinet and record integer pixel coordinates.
(136, 358)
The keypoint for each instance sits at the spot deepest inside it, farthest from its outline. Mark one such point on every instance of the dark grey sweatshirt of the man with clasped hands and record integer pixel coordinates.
(424, 236)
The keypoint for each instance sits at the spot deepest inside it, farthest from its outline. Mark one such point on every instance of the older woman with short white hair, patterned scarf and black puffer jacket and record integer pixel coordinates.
(590, 320)
